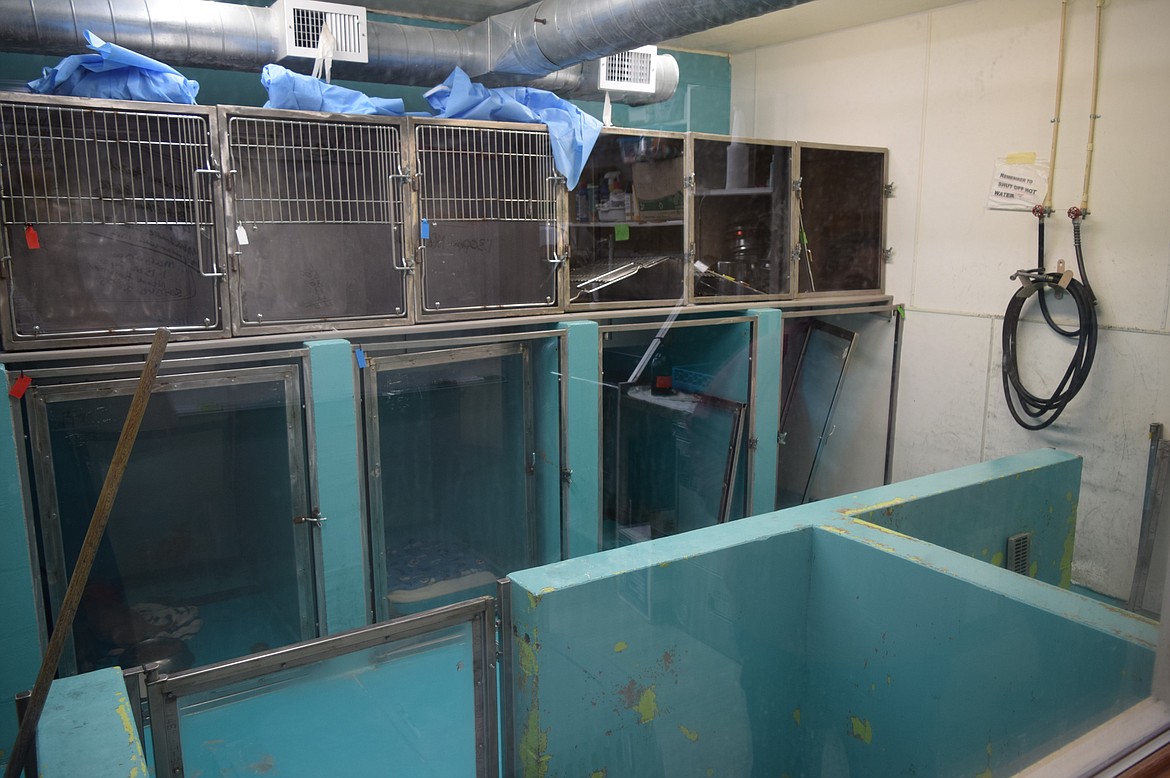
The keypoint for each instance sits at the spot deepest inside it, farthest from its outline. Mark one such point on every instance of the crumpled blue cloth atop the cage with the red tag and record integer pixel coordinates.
(116, 73)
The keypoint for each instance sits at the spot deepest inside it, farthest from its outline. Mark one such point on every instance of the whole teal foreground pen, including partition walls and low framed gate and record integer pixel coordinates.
(811, 642)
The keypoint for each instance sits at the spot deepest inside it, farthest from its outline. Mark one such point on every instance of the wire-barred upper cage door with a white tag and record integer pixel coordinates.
(318, 221)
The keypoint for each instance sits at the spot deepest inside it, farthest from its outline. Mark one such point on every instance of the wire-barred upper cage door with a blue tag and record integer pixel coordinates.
(488, 230)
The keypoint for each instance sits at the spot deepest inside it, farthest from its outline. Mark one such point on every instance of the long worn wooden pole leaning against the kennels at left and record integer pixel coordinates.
(80, 576)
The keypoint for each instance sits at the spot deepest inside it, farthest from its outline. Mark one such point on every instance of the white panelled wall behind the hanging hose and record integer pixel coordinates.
(948, 92)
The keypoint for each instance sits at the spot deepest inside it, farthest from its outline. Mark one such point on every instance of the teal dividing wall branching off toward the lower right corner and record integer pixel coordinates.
(924, 663)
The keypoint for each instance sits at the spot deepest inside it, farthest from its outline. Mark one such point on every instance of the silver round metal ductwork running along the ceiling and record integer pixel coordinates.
(553, 45)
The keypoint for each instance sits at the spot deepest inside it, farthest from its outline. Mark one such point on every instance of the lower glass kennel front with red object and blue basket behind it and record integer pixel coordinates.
(676, 445)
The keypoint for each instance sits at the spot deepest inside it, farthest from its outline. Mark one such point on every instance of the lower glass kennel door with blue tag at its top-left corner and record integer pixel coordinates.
(453, 463)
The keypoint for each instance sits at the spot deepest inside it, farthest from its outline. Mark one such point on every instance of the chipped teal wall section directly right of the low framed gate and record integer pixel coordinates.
(664, 666)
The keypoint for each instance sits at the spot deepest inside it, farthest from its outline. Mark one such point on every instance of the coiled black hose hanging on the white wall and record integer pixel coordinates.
(1043, 411)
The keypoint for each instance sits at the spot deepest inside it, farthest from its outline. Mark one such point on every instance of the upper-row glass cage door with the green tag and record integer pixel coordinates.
(628, 230)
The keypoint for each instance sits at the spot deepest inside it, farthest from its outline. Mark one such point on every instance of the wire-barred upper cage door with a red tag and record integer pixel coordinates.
(109, 222)
